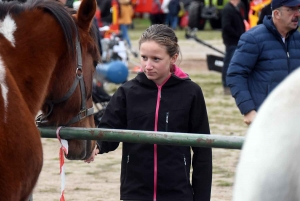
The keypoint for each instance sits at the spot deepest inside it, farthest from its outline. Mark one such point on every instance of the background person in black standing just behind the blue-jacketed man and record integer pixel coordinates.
(232, 28)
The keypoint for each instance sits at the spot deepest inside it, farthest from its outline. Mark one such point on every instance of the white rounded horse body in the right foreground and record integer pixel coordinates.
(269, 166)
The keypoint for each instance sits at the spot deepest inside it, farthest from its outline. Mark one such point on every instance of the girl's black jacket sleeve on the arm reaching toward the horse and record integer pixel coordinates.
(114, 118)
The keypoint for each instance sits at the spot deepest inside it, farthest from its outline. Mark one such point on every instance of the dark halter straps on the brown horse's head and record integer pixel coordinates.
(41, 120)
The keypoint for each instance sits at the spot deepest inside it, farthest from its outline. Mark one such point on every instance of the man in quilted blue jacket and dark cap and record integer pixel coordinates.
(265, 55)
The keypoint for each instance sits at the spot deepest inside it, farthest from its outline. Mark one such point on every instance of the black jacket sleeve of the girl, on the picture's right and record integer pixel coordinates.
(202, 157)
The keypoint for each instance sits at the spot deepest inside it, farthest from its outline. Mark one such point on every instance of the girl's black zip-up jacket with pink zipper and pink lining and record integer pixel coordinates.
(133, 107)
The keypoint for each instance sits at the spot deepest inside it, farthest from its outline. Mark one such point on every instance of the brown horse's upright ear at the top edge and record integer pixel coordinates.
(86, 13)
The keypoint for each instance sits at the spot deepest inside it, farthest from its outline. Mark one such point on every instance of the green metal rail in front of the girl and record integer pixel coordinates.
(151, 137)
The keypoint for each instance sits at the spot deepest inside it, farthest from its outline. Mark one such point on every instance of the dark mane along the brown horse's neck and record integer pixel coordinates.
(55, 8)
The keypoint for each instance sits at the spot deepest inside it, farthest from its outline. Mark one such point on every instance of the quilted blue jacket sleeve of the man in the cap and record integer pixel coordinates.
(242, 63)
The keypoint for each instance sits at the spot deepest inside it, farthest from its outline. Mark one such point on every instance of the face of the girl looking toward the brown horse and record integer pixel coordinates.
(155, 61)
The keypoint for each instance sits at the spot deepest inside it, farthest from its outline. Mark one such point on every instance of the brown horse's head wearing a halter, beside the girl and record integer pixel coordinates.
(69, 103)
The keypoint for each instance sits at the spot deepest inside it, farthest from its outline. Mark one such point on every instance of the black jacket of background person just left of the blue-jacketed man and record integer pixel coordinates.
(232, 25)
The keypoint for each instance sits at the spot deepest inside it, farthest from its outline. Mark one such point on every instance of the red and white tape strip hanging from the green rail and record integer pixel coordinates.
(63, 150)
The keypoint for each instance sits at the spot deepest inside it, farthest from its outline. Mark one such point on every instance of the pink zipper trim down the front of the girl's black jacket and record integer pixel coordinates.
(155, 145)
